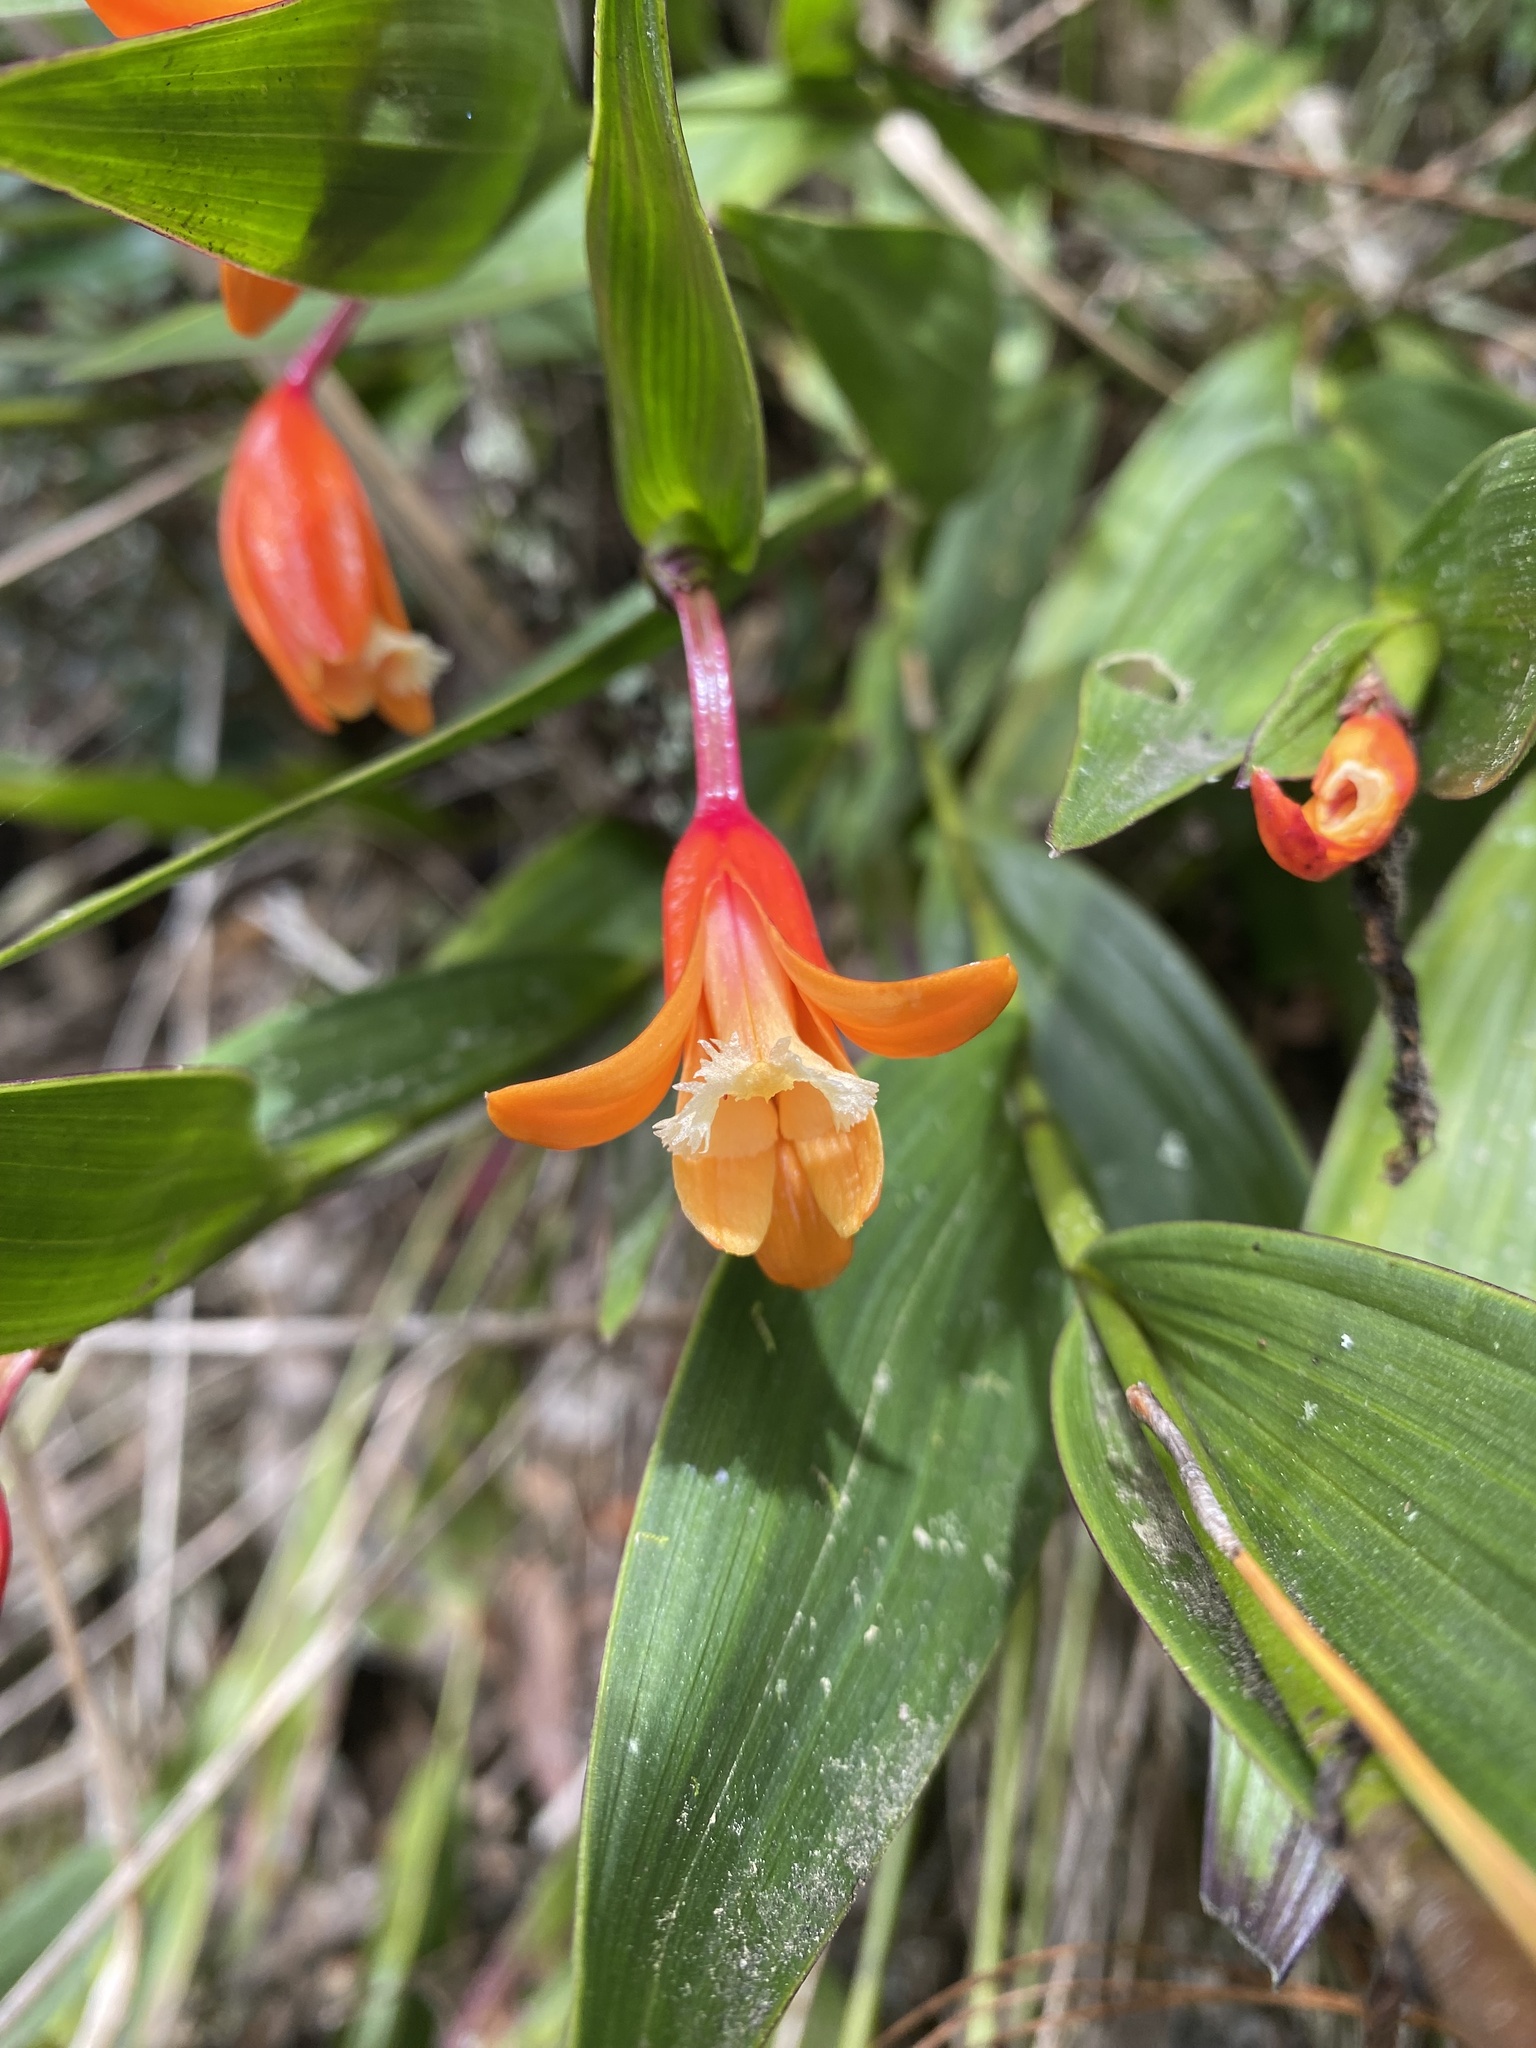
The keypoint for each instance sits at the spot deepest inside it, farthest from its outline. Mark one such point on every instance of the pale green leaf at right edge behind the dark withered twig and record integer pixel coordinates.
(1471, 1203)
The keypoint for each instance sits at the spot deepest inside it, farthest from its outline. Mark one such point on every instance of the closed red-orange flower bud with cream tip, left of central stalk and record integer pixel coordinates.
(310, 577)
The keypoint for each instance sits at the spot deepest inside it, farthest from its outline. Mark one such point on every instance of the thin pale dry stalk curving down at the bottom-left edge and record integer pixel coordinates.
(114, 1988)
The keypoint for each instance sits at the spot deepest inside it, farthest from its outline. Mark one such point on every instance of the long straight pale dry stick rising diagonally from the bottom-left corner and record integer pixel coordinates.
(214, 1779)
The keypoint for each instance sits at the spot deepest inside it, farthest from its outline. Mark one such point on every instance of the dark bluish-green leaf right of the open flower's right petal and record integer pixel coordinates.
(1164, 1103)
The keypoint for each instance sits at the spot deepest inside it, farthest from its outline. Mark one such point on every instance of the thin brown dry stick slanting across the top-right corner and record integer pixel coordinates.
(1140, 132)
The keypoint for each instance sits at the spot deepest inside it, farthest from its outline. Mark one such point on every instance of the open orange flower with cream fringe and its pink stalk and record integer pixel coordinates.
(775, 1144)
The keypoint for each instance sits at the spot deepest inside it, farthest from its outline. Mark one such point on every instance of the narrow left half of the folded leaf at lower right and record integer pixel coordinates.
(1150, 1547)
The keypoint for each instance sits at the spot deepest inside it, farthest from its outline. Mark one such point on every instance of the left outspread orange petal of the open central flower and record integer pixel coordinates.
(615, 1095)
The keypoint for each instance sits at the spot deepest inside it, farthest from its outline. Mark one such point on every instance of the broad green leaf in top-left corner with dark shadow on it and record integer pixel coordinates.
(361, 144)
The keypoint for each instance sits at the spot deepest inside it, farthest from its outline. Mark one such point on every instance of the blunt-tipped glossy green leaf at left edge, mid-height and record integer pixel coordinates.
(118, 1187)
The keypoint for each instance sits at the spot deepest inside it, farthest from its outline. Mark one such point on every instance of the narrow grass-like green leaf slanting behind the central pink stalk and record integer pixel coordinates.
(630, 628)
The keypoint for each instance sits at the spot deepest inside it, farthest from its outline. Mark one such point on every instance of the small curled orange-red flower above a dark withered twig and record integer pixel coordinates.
(1363, 785)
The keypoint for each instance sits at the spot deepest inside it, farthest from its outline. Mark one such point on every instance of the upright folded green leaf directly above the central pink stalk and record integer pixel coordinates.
(683, 402)
